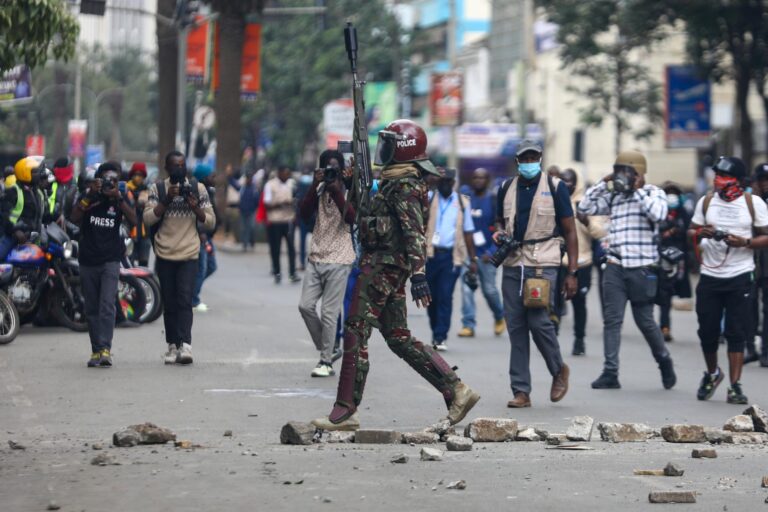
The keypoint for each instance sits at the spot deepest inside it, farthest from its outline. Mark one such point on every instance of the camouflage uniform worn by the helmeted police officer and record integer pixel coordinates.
(394, 248)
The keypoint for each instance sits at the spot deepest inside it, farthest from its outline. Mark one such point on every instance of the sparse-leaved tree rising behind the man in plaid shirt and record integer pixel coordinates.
(601, 42)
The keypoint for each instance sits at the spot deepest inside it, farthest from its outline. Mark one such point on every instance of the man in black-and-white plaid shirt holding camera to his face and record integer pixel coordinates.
(631, 273)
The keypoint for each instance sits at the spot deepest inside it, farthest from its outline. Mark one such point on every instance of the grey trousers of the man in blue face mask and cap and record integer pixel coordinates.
(521, 321)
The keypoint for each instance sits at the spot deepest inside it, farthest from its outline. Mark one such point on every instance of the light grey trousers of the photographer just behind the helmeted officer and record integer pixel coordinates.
(324, 282)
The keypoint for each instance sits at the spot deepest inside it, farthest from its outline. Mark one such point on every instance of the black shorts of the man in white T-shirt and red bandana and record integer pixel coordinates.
(715, 296)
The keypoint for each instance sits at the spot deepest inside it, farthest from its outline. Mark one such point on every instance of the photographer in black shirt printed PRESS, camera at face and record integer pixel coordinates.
(99, 212)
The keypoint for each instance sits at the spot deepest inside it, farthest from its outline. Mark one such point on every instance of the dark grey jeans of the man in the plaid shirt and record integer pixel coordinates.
(638, 286)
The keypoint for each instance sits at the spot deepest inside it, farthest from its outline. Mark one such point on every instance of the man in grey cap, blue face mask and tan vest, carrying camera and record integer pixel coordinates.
(535, 220)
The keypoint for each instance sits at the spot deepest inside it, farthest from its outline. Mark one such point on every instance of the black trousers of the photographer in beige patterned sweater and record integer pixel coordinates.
(177, 284)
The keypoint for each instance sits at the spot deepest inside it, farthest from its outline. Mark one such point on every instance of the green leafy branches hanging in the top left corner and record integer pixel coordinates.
(28, 29)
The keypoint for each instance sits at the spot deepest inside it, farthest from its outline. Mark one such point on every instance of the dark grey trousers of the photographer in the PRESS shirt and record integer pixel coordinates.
(99, 285)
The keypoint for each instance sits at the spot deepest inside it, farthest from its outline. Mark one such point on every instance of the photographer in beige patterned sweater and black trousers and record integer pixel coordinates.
(174, 208)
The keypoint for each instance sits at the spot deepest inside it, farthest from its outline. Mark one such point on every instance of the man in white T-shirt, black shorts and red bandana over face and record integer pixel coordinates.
(727, 226)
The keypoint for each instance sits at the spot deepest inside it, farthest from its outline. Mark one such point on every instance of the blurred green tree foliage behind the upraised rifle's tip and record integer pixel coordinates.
(305, 66)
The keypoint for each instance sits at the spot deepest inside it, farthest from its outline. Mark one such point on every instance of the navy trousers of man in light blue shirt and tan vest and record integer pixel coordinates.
(441, 277)
